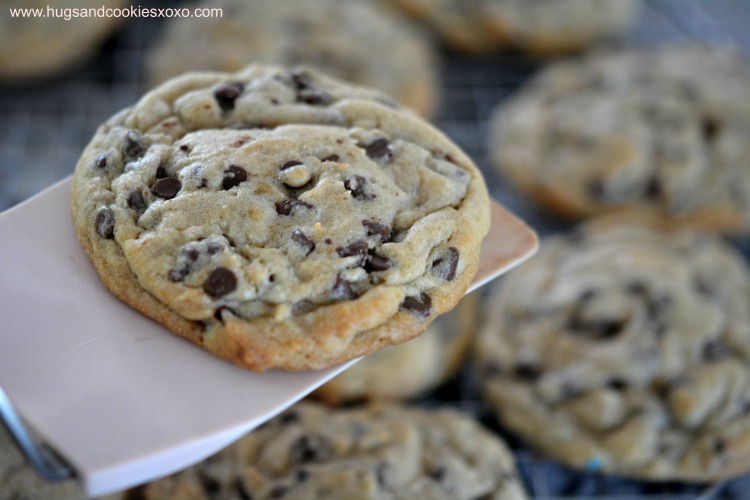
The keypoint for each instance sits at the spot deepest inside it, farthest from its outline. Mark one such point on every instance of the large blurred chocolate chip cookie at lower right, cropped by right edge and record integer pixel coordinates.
(624, 348)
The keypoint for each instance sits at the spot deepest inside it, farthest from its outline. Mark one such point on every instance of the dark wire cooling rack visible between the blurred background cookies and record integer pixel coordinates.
(44, 127)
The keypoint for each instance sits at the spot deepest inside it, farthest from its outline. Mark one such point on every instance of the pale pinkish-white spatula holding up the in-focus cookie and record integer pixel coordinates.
(120, 399)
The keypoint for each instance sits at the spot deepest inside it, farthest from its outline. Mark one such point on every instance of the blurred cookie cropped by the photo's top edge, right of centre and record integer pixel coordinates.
(535, 26)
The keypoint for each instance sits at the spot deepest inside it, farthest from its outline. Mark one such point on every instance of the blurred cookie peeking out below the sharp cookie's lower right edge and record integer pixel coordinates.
(411, 369)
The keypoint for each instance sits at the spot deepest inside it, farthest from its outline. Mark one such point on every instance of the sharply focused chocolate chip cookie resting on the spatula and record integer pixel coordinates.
(278, 218)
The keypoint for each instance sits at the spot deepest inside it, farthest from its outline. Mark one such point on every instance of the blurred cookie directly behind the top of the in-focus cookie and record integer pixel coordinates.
(357, 40)
